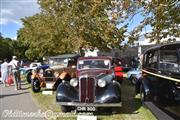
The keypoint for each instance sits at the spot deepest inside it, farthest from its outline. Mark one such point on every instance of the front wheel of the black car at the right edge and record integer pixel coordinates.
(143, 96)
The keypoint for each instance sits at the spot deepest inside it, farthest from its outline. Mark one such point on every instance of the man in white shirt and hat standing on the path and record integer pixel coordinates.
(15, 65)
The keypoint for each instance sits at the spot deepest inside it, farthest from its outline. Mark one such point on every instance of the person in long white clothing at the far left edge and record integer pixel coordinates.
(4, 71)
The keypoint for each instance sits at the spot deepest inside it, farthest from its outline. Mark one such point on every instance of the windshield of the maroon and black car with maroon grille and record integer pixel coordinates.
(94, 64)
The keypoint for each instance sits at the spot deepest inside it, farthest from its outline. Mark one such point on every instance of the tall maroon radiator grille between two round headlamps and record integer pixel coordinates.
(86, 88)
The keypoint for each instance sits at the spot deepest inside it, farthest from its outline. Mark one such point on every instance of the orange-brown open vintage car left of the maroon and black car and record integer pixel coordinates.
(59, 66)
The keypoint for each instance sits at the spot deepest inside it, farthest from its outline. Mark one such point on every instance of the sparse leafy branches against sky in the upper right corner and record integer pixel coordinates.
(162, 15)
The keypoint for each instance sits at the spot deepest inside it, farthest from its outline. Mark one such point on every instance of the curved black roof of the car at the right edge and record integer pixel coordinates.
(166, 46)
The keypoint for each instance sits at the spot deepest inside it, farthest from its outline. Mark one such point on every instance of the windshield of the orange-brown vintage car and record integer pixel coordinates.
(58, 61)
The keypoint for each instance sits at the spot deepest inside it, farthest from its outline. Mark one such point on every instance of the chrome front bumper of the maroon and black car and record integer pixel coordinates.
(91, 104)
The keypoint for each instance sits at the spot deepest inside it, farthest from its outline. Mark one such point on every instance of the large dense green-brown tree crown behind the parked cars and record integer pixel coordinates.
(63, 26)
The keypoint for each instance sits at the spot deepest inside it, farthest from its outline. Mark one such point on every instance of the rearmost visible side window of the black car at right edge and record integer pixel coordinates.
(169, 60)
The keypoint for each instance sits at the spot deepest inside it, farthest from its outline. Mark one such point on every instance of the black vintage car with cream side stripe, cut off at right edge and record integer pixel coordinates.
(160, 80)
